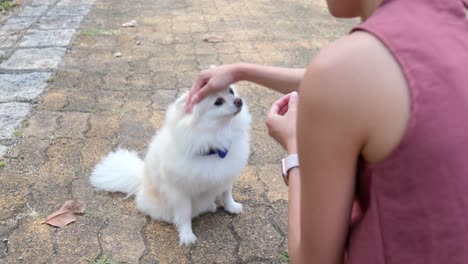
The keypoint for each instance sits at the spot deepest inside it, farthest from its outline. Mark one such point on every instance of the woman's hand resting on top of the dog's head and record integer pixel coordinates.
(210, 81)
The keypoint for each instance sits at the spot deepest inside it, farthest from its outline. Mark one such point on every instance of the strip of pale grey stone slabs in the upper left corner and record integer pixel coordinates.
(32, 44)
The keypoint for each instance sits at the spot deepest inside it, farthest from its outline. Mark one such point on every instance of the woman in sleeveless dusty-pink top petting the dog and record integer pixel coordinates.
(381, 120)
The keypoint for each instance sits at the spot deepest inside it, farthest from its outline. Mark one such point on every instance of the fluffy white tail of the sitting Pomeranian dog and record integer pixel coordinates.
(119, 171)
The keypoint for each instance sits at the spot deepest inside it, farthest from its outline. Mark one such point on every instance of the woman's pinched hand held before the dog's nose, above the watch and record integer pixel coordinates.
(281, 121)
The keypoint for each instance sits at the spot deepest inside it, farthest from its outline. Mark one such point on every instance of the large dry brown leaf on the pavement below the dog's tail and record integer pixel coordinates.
(65, 215)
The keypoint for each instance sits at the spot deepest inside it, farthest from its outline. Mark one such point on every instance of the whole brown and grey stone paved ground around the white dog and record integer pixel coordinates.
(96, 102)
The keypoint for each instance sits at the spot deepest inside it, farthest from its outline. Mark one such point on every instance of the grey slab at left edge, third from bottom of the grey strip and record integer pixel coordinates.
(22, 87)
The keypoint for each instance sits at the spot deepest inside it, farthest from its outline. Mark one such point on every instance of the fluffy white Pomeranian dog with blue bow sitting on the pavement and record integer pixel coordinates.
(191, 164)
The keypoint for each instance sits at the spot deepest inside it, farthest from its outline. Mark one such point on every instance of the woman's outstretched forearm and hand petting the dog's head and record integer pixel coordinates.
(215, 79)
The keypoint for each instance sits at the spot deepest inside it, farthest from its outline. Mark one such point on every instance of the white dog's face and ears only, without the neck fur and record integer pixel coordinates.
(215, 110)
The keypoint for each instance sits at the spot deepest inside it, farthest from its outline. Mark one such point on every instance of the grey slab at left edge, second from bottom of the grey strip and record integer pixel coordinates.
(11, 115)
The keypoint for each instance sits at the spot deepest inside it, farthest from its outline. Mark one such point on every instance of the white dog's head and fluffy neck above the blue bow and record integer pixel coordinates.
(217, 121)
